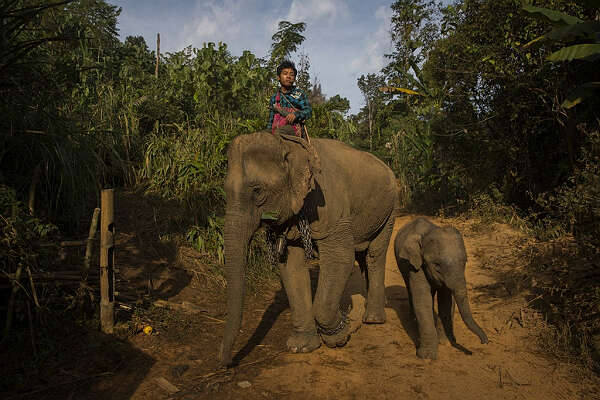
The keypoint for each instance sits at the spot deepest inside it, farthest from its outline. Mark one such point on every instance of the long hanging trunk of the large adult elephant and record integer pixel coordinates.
(238, 231)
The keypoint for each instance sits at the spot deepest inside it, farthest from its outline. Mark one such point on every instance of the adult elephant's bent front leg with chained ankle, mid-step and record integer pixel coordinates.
(336, 253)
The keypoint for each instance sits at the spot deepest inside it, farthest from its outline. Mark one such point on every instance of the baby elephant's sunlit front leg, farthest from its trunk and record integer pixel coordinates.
(423, 307)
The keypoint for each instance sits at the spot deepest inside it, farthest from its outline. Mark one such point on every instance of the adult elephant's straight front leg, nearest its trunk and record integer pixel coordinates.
(296, 280)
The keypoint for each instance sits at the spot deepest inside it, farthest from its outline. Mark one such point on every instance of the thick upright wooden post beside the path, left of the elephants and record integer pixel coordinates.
(107, 258)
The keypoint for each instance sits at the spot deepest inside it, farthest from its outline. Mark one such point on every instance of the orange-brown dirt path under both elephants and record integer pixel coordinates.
(379, 362)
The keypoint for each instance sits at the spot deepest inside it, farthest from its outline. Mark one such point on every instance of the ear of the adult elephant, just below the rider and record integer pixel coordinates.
(302, 164)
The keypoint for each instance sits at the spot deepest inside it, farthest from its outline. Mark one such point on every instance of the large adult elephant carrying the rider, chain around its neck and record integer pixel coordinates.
(350, 200)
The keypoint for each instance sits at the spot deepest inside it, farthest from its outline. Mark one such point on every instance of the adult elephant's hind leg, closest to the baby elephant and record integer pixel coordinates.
(376, 255)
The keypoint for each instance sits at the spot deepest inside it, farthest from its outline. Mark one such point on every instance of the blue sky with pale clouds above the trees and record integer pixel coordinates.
(344, 39)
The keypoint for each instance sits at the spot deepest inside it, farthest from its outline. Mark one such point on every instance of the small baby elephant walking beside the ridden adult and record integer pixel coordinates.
(432, 259)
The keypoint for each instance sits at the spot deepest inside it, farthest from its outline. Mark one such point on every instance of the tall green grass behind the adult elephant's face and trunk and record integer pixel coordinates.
(188, 164)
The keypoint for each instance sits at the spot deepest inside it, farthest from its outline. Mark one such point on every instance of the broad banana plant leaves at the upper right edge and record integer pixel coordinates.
(569, 29)
